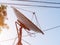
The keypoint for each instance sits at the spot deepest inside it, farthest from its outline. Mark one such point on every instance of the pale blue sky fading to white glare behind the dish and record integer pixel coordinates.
(47, 17)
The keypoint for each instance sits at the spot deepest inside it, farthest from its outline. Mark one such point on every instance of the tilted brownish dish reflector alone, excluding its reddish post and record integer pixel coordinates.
(26, 22)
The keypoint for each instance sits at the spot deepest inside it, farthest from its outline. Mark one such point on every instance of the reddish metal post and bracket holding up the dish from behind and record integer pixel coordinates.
(19, 31)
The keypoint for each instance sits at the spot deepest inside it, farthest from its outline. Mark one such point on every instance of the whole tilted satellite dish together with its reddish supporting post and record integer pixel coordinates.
(25, 23)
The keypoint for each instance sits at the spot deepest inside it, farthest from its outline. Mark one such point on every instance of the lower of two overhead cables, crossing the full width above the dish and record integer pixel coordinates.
(31, 5)
